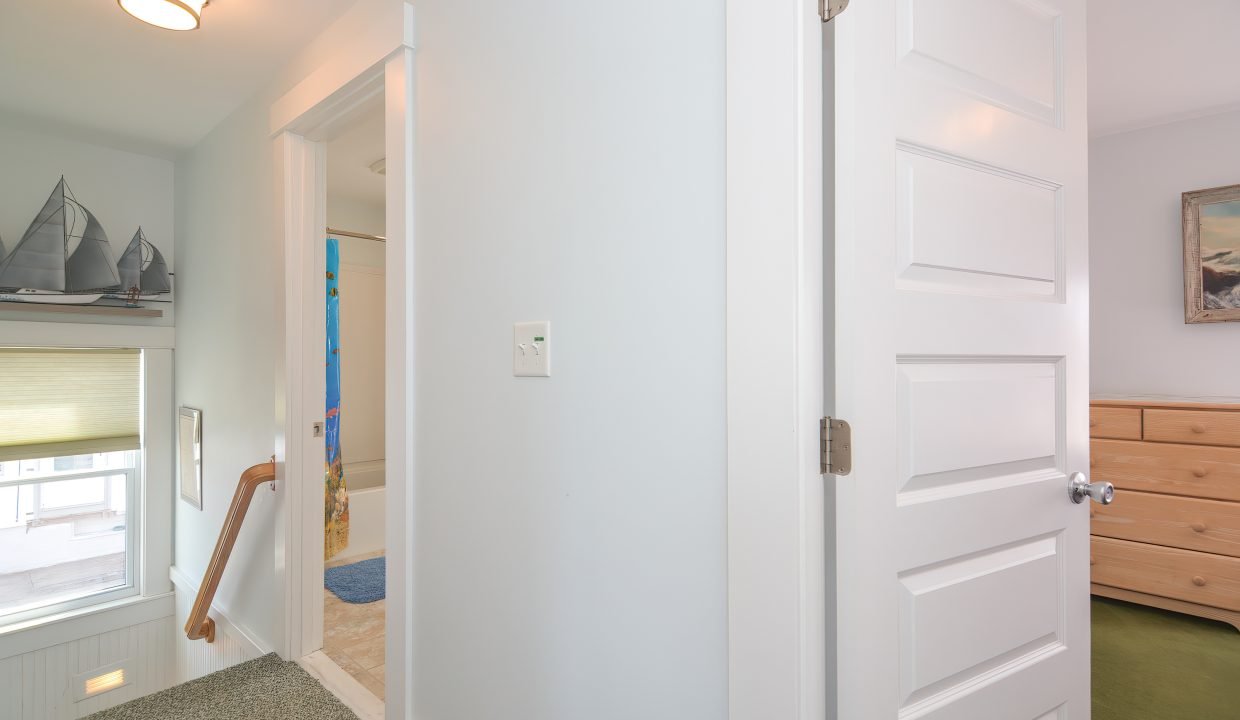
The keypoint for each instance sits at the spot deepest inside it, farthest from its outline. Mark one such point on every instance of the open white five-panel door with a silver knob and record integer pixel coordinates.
(962, 360)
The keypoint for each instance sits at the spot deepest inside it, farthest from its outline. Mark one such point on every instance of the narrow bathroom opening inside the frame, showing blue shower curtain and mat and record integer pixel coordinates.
(354, 550)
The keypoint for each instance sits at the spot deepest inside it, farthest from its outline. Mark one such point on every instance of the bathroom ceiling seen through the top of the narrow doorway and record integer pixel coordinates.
(352, 153)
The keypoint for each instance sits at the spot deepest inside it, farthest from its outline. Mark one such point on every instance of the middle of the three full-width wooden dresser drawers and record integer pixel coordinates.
(1179, 522)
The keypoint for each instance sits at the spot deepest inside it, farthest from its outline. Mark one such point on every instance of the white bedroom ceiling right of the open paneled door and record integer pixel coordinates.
(1154, 63)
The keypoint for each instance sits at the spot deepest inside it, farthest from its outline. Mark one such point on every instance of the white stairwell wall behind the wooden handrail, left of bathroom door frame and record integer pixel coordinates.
(226, 356)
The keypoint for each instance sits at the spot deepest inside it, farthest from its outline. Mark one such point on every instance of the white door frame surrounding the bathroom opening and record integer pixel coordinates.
(371, 54)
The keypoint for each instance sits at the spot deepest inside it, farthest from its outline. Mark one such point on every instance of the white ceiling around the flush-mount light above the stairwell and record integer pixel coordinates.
(87, 66)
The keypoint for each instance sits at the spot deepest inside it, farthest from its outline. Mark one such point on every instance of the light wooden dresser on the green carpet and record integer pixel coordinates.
(1172, 537)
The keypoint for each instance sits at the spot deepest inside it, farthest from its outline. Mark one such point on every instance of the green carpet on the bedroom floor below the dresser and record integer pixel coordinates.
(1151, 665)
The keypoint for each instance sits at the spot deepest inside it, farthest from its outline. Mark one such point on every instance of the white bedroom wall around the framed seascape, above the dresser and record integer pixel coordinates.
(1140, 344)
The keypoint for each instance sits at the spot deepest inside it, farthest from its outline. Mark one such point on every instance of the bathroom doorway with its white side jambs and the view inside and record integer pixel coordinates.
(368, 115)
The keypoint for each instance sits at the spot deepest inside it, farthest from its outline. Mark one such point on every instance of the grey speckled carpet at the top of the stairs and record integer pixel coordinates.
(263, 690)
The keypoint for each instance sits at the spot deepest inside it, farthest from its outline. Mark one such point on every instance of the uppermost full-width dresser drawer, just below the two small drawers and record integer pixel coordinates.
(1189, 470)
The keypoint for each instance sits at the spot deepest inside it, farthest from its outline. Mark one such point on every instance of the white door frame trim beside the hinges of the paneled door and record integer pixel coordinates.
(779, 543)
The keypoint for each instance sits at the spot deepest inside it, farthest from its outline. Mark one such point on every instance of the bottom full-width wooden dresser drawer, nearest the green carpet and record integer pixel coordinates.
(1187, 576)
